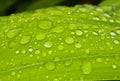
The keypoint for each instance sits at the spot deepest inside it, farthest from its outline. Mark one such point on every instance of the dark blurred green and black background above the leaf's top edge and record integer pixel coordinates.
(8, 7)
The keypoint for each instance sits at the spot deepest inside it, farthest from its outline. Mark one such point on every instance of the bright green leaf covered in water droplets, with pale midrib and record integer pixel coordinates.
(61, 44)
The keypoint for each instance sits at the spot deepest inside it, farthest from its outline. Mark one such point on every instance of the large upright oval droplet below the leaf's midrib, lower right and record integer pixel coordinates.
(86, 67)
